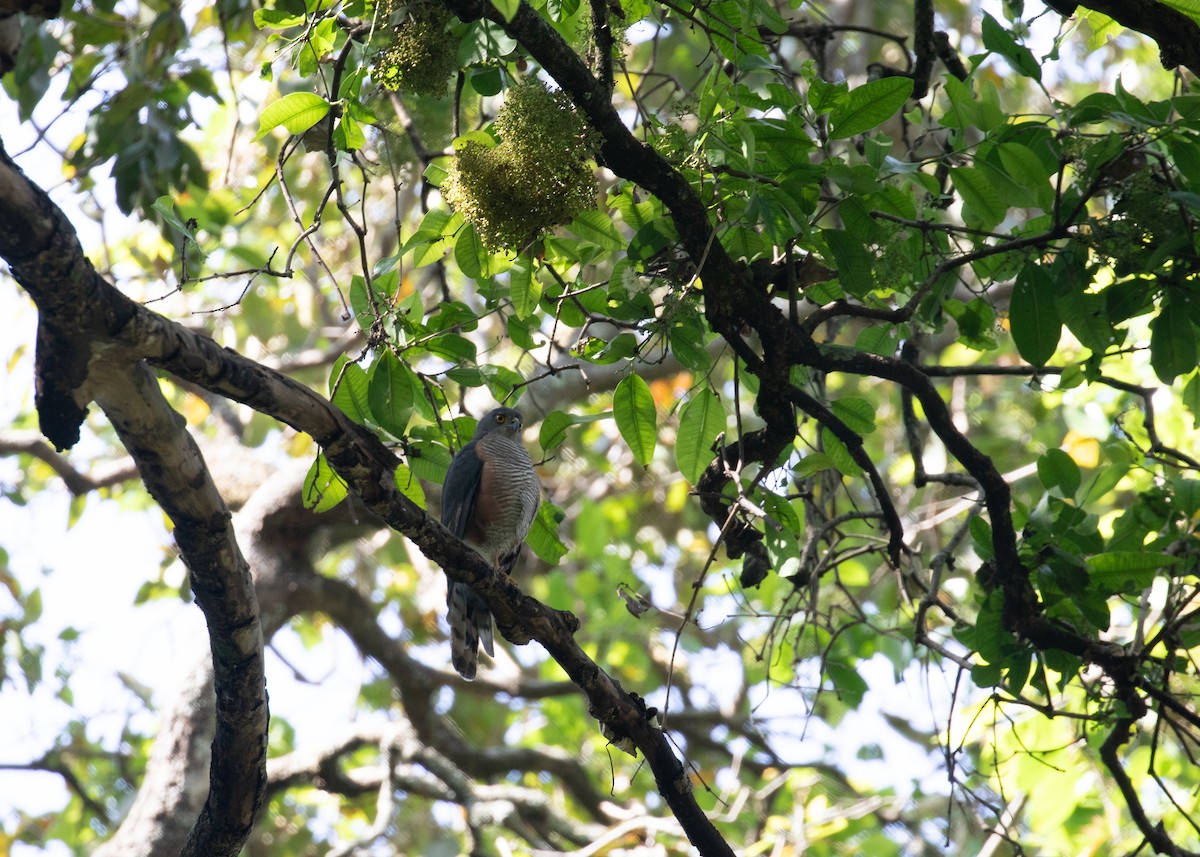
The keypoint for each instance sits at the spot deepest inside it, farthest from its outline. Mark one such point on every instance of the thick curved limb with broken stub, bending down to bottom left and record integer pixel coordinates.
(76, 314)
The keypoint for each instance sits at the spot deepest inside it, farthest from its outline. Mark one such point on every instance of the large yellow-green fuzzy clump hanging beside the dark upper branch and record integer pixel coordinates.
(538, 177)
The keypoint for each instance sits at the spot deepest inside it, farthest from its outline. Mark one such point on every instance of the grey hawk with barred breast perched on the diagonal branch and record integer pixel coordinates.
(490, 500)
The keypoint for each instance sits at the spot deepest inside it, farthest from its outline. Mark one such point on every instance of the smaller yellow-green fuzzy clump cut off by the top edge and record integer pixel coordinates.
(422, 57)
